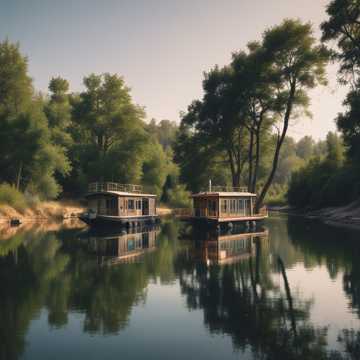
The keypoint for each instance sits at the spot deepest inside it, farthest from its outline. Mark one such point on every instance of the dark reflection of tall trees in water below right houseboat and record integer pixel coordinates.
(241, 300)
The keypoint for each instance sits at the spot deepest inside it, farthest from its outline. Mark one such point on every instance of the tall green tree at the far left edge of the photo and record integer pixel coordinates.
(31, 166)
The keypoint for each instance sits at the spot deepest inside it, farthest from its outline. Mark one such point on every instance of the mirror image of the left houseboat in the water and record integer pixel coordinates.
(121, 246)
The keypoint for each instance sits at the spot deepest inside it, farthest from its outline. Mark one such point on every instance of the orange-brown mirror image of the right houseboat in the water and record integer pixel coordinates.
(219, 248)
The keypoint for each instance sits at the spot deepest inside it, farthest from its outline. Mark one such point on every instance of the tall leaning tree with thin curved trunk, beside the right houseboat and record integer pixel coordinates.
(298, 64)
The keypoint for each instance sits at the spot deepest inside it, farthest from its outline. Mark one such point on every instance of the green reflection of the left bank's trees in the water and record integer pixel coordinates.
(57, 272)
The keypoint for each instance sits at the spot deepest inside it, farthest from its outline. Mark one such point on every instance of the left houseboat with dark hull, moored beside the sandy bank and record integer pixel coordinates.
(119, 204)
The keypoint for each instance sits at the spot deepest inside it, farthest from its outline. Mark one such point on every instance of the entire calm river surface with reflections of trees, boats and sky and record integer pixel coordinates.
(289, 291)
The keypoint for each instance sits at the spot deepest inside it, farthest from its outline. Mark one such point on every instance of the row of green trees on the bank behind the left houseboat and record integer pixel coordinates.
(57, 143)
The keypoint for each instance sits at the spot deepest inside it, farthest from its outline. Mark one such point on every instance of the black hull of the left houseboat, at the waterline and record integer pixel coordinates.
(113, 221)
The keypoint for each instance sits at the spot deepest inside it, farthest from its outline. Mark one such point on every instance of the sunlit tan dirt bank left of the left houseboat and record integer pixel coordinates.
(45, 211)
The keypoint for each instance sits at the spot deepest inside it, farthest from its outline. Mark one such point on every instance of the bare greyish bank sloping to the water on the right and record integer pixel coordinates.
(347, 216)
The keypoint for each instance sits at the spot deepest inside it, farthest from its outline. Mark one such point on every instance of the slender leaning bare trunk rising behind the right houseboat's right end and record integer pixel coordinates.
(279, 143)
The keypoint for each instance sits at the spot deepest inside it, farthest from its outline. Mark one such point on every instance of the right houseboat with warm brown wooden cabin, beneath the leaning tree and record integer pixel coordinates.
(225, 206)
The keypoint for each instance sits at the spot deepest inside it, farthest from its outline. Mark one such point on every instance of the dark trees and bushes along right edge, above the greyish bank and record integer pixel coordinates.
(335, 178)
